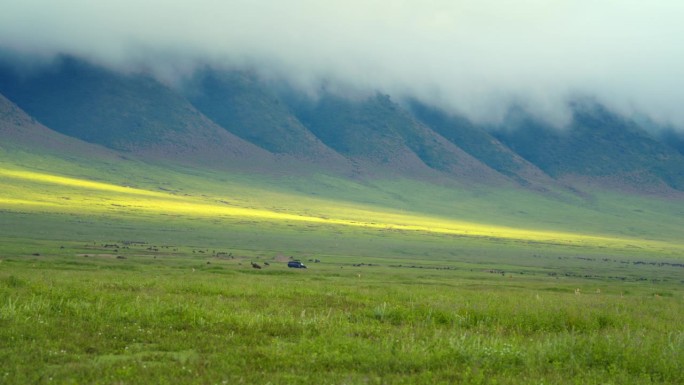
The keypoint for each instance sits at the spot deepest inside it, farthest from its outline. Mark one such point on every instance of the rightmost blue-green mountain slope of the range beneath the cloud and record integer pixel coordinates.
(599, 146)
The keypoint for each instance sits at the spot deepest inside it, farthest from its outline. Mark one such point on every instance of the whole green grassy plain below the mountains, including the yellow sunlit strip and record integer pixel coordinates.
(125, 272)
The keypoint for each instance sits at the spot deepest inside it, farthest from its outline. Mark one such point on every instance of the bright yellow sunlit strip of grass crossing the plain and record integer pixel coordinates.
(163, 203)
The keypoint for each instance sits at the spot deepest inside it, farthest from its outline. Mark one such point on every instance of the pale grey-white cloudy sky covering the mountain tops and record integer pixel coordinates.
(470, 56)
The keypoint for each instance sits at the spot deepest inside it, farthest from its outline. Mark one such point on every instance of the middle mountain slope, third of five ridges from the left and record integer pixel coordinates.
(378, 131)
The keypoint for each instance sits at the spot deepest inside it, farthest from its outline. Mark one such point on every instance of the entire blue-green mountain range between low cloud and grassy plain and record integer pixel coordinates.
(237, 118)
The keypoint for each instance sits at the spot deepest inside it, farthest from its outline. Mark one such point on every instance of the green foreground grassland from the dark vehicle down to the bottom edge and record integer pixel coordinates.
(83, 315)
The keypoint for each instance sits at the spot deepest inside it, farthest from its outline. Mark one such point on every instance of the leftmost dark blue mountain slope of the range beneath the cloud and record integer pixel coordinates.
(125, 112)
